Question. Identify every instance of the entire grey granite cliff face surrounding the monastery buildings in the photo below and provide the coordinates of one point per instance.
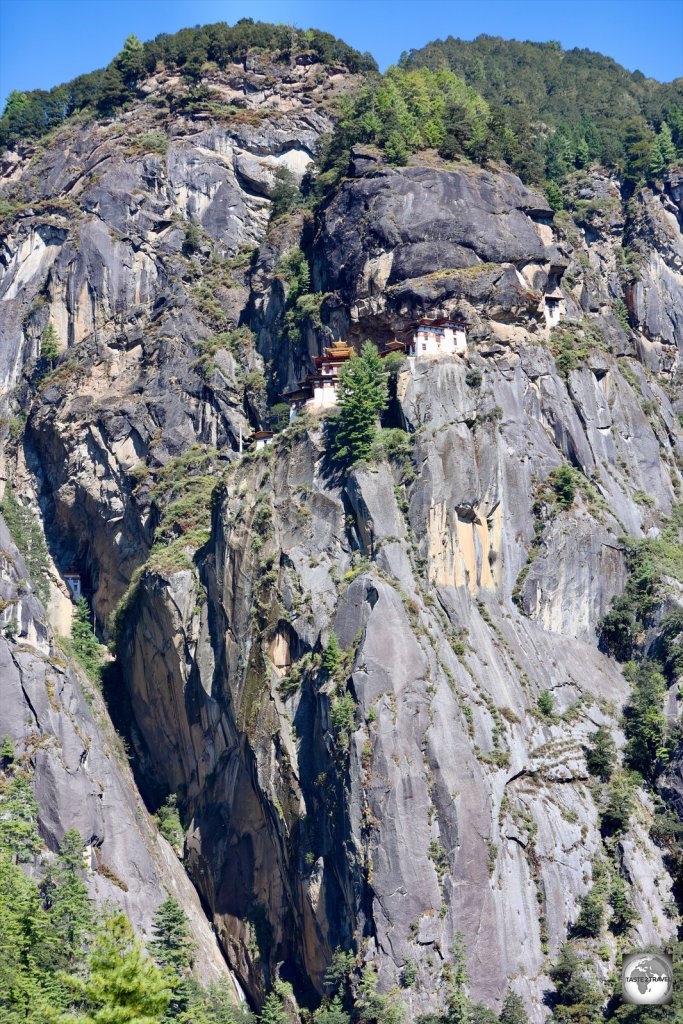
(416, 791)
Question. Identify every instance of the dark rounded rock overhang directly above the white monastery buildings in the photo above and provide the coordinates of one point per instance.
(396, 244)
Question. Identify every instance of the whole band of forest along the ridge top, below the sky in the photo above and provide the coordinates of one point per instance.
(542, 110)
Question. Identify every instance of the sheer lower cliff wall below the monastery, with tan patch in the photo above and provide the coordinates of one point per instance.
(445, 674)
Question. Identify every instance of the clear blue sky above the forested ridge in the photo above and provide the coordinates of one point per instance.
(46, 42)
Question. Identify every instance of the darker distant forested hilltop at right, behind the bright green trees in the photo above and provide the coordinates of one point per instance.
(576, 106)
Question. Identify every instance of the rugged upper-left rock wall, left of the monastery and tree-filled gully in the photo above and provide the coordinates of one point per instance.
(99, 249)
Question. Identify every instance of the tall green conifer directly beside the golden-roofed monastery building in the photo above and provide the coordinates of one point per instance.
(363, 398)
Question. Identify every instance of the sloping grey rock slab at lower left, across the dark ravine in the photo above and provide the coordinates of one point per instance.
(59, 724)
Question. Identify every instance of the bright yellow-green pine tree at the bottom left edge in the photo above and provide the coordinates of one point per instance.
(122, 986)
